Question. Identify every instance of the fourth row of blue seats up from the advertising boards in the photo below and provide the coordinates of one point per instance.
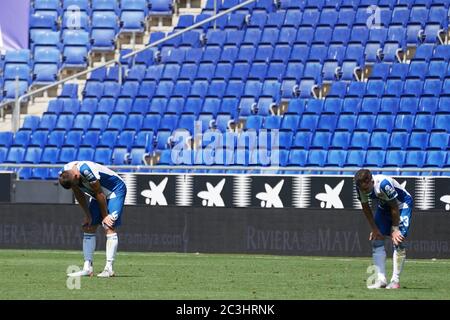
(229, 105)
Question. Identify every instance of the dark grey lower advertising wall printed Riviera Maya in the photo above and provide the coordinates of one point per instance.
(287, 231)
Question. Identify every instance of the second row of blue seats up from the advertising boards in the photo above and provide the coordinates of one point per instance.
(288, 138)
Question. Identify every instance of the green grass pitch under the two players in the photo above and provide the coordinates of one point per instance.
(41, 274)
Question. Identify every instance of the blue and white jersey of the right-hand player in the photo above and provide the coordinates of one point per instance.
(386, 189)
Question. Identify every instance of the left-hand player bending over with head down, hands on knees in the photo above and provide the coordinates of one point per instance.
(107, 193)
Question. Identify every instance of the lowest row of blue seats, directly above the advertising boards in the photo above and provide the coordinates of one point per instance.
(228, 157)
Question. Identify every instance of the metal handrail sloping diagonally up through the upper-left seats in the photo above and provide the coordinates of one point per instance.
(17, 102)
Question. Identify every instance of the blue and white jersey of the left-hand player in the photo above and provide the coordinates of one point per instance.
(111, 183)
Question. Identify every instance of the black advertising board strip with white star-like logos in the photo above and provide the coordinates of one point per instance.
(330, 192)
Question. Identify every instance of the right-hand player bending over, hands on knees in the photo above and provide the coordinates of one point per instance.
(392, 218)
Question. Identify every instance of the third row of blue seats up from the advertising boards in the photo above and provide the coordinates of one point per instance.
(291, 121)
